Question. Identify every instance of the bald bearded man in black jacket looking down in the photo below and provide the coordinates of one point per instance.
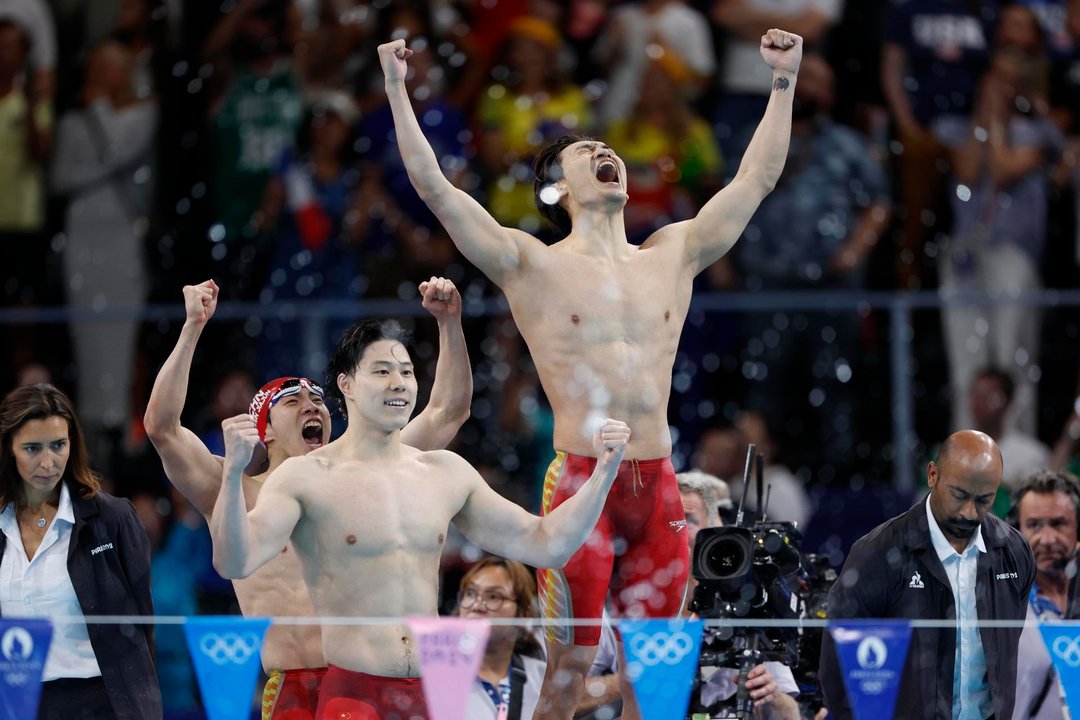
(947, 559)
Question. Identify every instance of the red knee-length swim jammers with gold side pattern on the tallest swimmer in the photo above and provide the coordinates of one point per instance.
(639, 549)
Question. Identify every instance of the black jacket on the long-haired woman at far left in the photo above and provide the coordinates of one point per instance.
(110, 566)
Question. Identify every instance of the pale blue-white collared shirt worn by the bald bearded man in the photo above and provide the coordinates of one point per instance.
(971, 689)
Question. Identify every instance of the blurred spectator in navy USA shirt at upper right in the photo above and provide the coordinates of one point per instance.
(935, 53)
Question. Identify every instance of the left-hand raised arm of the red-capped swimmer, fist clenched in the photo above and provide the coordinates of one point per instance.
(188, 464)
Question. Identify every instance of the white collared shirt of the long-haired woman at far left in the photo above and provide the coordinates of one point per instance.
(42, 588)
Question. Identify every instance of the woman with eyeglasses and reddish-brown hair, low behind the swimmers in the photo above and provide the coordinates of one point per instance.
(508, 685)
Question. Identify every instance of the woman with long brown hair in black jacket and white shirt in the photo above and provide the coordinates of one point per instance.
(70, 550)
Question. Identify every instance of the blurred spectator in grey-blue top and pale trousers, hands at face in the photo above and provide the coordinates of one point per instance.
(1002, 158)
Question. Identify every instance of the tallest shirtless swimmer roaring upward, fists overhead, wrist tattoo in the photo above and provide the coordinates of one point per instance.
(602, 319)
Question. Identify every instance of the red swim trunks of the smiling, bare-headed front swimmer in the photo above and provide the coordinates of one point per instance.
(362, 697)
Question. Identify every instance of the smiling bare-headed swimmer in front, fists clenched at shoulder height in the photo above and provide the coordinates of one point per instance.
(368, 517)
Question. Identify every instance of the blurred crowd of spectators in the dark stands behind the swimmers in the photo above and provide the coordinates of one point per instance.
(151, 144)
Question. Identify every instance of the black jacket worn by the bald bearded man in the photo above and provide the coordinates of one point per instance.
(895, 573)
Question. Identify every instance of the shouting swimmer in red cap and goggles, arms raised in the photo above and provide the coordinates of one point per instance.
(295, 425)
